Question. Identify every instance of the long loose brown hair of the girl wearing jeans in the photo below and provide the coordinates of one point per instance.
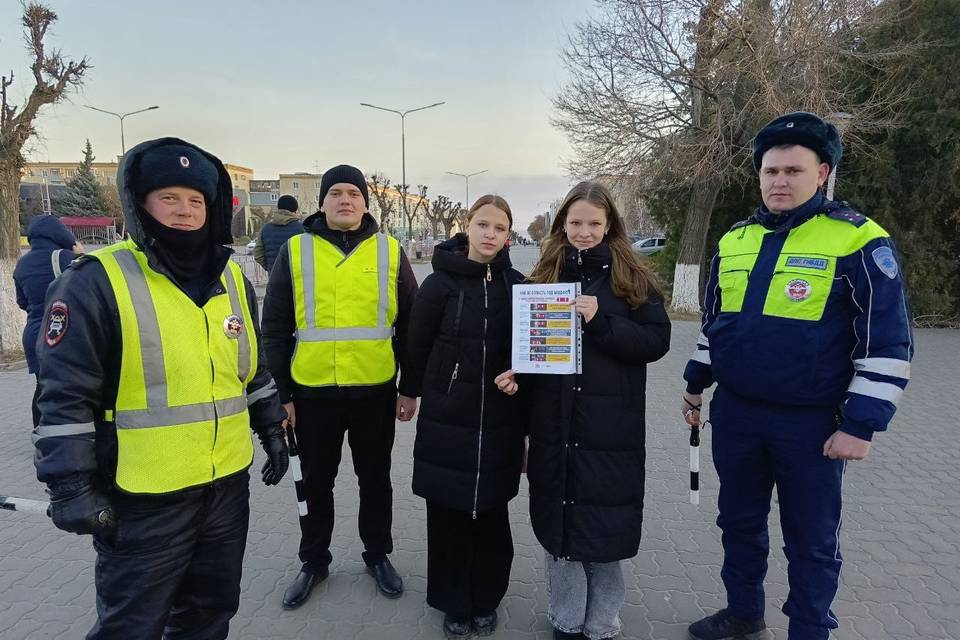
(630, 279)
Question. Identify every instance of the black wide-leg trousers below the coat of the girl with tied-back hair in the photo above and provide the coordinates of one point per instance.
(468, 561)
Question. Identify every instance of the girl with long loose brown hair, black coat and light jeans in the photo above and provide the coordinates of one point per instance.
(587, 432)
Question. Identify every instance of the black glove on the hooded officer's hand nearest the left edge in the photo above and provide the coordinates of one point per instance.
(77, 506)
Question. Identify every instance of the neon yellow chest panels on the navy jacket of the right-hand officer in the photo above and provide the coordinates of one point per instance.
(804, 271)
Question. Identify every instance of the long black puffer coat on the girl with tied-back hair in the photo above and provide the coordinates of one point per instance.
(469, 445)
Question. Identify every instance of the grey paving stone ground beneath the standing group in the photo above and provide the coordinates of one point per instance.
(900, 579)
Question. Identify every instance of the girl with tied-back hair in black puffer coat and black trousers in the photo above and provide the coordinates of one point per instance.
(469, 446)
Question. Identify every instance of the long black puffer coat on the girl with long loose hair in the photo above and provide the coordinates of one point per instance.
(587, 431)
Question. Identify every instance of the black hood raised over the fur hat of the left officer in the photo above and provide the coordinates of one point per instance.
(219, 212)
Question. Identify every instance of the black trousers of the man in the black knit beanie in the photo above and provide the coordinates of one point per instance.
(369, 424)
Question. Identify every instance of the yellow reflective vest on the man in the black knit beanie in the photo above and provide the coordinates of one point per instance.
(345, 309)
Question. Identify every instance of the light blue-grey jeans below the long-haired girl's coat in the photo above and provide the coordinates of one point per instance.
(585, 597)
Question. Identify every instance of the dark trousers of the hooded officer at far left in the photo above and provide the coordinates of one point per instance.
(172, 568)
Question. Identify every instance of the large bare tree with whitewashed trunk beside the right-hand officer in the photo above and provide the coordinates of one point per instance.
(675, 90)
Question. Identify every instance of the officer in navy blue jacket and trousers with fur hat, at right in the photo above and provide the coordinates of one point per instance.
(806, 331)
